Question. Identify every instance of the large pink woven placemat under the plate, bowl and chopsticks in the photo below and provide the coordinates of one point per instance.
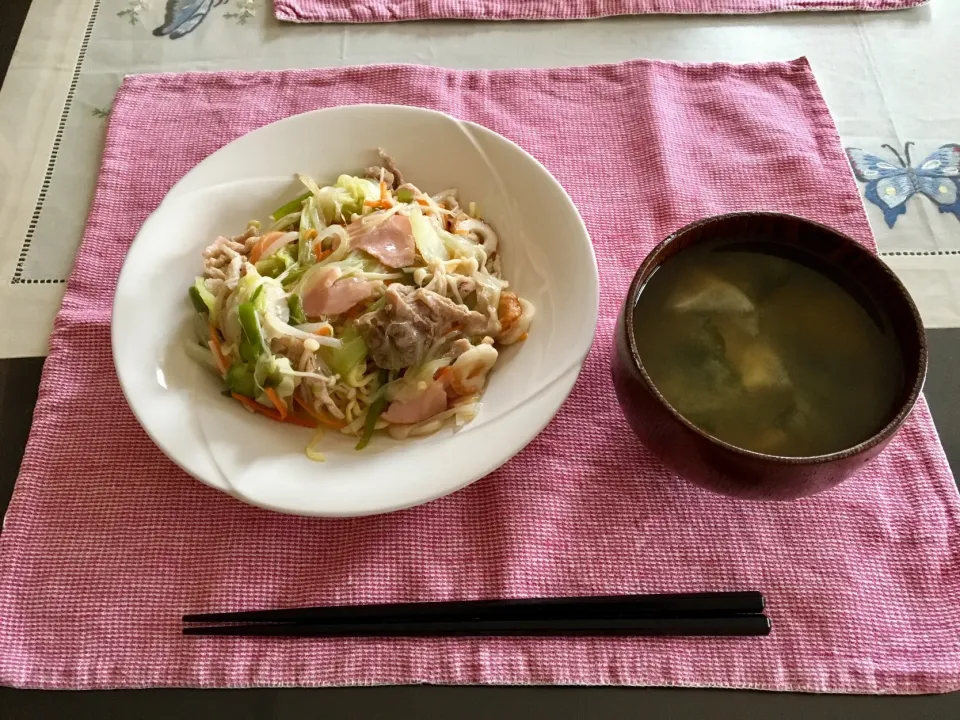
(107, 543)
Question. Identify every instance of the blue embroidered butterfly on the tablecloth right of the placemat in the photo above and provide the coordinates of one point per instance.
(890, 187)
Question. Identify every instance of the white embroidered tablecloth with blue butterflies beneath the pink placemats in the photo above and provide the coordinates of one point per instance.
(889, 79)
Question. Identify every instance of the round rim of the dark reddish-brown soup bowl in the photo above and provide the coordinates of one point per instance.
(878, 438)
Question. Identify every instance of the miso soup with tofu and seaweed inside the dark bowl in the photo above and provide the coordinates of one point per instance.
(761, 347)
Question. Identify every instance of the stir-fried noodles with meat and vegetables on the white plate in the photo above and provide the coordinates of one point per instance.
(365, 305)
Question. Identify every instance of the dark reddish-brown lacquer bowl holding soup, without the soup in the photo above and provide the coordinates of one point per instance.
(726, 468)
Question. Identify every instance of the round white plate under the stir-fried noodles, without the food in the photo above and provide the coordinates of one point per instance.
(547, 257)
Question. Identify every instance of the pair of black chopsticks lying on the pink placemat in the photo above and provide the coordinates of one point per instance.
(713, 613)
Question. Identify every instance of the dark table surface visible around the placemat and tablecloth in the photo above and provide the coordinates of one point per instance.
(19, 381)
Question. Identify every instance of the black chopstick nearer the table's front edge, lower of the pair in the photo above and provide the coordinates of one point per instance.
(749, 625)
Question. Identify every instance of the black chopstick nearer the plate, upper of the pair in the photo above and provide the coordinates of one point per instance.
(708, 604)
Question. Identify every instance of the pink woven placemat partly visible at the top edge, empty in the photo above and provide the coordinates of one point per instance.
(346, 11)
